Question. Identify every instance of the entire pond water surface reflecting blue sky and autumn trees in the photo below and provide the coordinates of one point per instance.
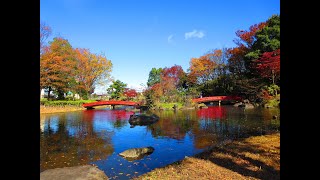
(97, 136)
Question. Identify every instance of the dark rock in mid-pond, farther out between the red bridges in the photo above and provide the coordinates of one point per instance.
(142, 119)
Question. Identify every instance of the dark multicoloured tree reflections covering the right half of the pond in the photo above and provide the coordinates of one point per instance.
(212, 125)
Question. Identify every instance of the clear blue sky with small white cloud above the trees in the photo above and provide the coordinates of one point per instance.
(137, 35)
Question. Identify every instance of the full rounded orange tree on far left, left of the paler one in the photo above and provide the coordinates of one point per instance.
(57, 65)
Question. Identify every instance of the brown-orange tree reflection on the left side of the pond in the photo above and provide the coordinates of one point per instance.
(61, 148)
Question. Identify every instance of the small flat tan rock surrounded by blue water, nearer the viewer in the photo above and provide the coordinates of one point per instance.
(136, 153)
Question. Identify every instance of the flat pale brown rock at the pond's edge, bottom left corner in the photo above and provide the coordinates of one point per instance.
(85, 172)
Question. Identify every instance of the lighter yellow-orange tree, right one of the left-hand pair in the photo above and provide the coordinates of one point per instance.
(91, 70)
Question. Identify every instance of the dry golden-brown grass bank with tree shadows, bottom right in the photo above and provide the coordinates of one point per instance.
(251, 158)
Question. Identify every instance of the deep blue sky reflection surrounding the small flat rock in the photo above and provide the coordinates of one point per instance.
(166, 151)
